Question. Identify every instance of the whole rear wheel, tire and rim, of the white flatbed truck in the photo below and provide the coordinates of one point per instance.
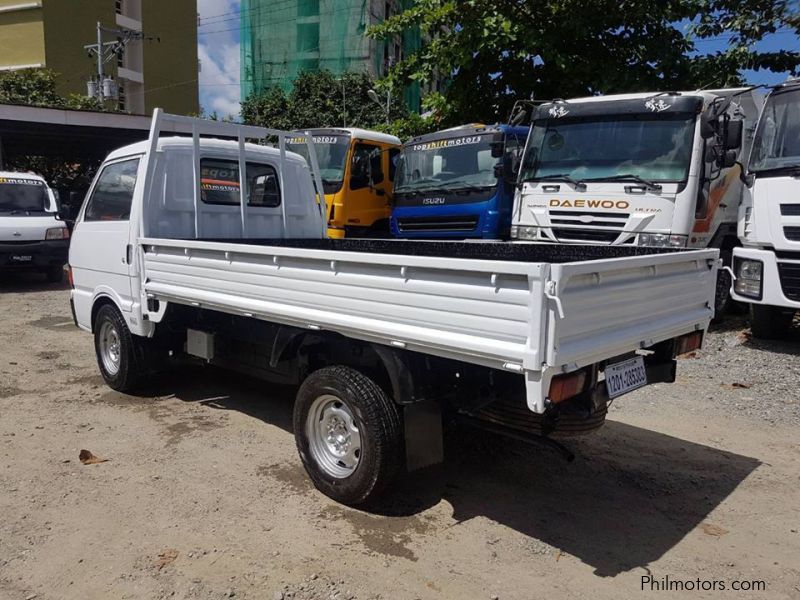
(348, 434)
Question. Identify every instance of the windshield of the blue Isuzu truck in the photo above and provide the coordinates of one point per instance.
(448, 163)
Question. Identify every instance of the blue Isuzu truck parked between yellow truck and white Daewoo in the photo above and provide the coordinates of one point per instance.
(457, 183)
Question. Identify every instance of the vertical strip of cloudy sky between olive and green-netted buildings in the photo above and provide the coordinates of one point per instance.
(219, 54)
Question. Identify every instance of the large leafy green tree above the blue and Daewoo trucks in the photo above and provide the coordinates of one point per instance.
(498, 51)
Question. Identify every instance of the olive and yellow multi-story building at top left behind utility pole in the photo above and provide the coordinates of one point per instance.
(157, 71)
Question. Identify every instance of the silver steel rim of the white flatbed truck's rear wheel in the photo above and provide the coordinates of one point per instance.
(333, 436)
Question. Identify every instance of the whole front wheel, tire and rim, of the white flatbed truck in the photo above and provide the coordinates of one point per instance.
(120, 354)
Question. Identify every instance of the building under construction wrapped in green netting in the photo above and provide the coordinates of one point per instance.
(282, 38)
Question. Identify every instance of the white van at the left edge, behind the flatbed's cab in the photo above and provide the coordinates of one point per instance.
(31, 236)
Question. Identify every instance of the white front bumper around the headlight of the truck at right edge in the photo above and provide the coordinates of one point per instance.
(780, 277)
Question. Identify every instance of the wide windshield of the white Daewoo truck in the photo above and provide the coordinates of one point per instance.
(655, 148)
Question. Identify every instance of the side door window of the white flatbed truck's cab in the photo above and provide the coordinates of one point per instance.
(113, 193)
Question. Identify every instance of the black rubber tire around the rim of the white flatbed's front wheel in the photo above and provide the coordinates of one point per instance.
(132, 365)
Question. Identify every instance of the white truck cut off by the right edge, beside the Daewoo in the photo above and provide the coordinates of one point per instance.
(767, 266)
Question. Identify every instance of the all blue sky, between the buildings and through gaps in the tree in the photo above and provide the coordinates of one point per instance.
(218, 51)
